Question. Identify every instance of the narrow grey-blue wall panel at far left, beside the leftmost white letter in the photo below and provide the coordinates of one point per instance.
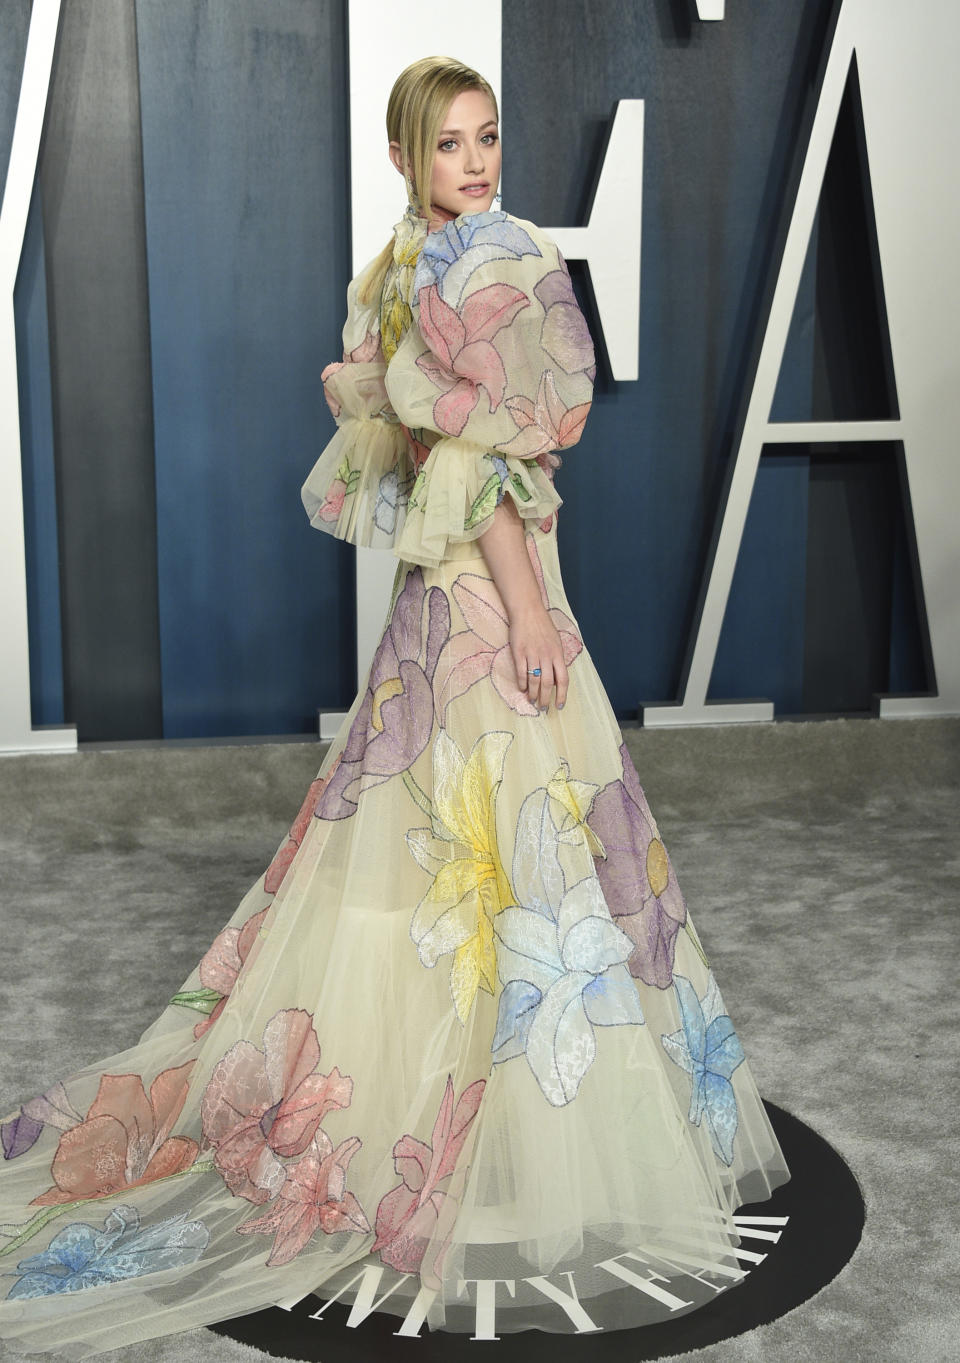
(91, 177)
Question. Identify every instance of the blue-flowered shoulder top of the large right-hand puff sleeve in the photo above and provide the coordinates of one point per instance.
(479, 249)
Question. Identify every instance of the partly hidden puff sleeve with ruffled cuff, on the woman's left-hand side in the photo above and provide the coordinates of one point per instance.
(358, 487)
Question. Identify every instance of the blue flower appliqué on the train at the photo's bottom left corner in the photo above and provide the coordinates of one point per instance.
(82, 1256)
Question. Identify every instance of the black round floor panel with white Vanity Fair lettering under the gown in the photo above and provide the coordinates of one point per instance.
(823, 1214)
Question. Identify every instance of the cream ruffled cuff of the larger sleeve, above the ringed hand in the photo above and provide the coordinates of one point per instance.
(457, 493)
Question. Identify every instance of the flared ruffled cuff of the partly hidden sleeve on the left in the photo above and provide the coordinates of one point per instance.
(359, 486)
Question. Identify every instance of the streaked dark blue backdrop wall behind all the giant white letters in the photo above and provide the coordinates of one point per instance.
(197, 250)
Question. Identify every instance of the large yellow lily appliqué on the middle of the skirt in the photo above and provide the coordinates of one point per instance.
(470, 888)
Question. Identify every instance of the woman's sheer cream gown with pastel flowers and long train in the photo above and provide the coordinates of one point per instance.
(460, 1049)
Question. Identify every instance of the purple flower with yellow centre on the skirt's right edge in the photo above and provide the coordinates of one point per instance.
(637, 878)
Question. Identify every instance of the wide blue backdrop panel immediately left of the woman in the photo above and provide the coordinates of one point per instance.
(245, 152)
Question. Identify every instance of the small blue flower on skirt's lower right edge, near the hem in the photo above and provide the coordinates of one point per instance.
(708, 1049)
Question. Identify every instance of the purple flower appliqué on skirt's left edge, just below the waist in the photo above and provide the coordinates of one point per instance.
(393, 726)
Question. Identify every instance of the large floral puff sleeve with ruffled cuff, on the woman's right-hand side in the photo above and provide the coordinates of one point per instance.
(497, 371)
